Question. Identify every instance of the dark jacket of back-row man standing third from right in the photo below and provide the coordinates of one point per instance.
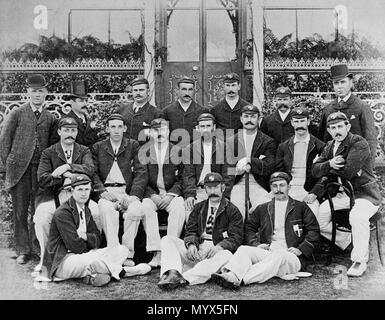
(227, 118)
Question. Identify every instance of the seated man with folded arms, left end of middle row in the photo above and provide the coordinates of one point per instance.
(58, 164)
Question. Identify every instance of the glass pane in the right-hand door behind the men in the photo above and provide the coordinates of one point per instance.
(221, 38)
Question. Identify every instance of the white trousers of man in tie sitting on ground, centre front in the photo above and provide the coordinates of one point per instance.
(174, 257)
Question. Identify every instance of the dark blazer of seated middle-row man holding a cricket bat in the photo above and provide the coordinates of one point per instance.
(261, 169)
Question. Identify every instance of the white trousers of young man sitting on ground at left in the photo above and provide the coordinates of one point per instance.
(105, 260)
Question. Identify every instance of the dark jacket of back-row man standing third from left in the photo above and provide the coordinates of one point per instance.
(135, 122)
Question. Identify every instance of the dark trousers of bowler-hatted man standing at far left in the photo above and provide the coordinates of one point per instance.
(23, 195)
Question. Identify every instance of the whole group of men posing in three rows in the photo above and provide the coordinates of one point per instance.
(248, 195)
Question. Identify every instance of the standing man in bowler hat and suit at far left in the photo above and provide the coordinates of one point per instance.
(26, 132)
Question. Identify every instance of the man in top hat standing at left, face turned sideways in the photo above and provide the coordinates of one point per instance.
(87, 133)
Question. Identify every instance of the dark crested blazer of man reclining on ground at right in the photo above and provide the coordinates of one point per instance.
(259, 228)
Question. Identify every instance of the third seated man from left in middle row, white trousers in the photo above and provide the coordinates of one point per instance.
(164, 188)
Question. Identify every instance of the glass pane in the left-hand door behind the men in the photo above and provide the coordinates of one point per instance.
(183, 35)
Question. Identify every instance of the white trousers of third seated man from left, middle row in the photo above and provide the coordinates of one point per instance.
(176, 215)
